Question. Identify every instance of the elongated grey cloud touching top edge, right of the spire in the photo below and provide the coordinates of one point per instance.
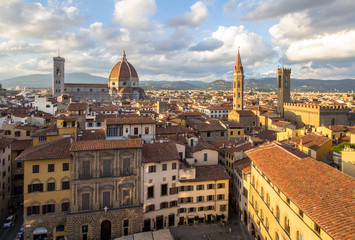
(273, 9)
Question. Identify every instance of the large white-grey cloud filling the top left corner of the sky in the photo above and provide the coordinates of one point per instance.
(19, 19)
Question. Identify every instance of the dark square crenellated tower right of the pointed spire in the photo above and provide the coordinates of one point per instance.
(283, 88)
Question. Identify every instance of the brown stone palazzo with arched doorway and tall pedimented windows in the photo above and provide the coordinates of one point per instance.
(105, 189)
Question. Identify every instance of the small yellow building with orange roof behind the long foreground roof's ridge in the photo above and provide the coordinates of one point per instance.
(314, 145)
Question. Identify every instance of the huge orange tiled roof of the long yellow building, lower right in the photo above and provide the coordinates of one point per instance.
(325, 194)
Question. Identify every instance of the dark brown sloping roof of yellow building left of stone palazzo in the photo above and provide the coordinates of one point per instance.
(52, 150)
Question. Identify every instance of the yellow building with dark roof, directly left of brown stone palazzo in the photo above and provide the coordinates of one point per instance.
(46, 189)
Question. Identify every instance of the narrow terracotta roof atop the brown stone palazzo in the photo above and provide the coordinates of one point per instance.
(92, 145)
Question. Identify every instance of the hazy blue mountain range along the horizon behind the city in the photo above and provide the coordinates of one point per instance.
(263, 84)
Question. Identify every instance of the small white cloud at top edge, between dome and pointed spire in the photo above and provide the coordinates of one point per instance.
(194, 18)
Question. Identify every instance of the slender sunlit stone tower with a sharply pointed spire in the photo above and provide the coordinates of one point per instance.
(238, 84)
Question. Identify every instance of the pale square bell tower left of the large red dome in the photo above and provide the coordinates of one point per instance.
(58, 76)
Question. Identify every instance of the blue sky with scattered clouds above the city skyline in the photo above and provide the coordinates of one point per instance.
(179, 40)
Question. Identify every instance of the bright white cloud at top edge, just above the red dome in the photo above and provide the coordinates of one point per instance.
(134, 13)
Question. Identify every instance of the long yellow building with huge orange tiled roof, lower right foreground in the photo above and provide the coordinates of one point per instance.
(292, 196)
